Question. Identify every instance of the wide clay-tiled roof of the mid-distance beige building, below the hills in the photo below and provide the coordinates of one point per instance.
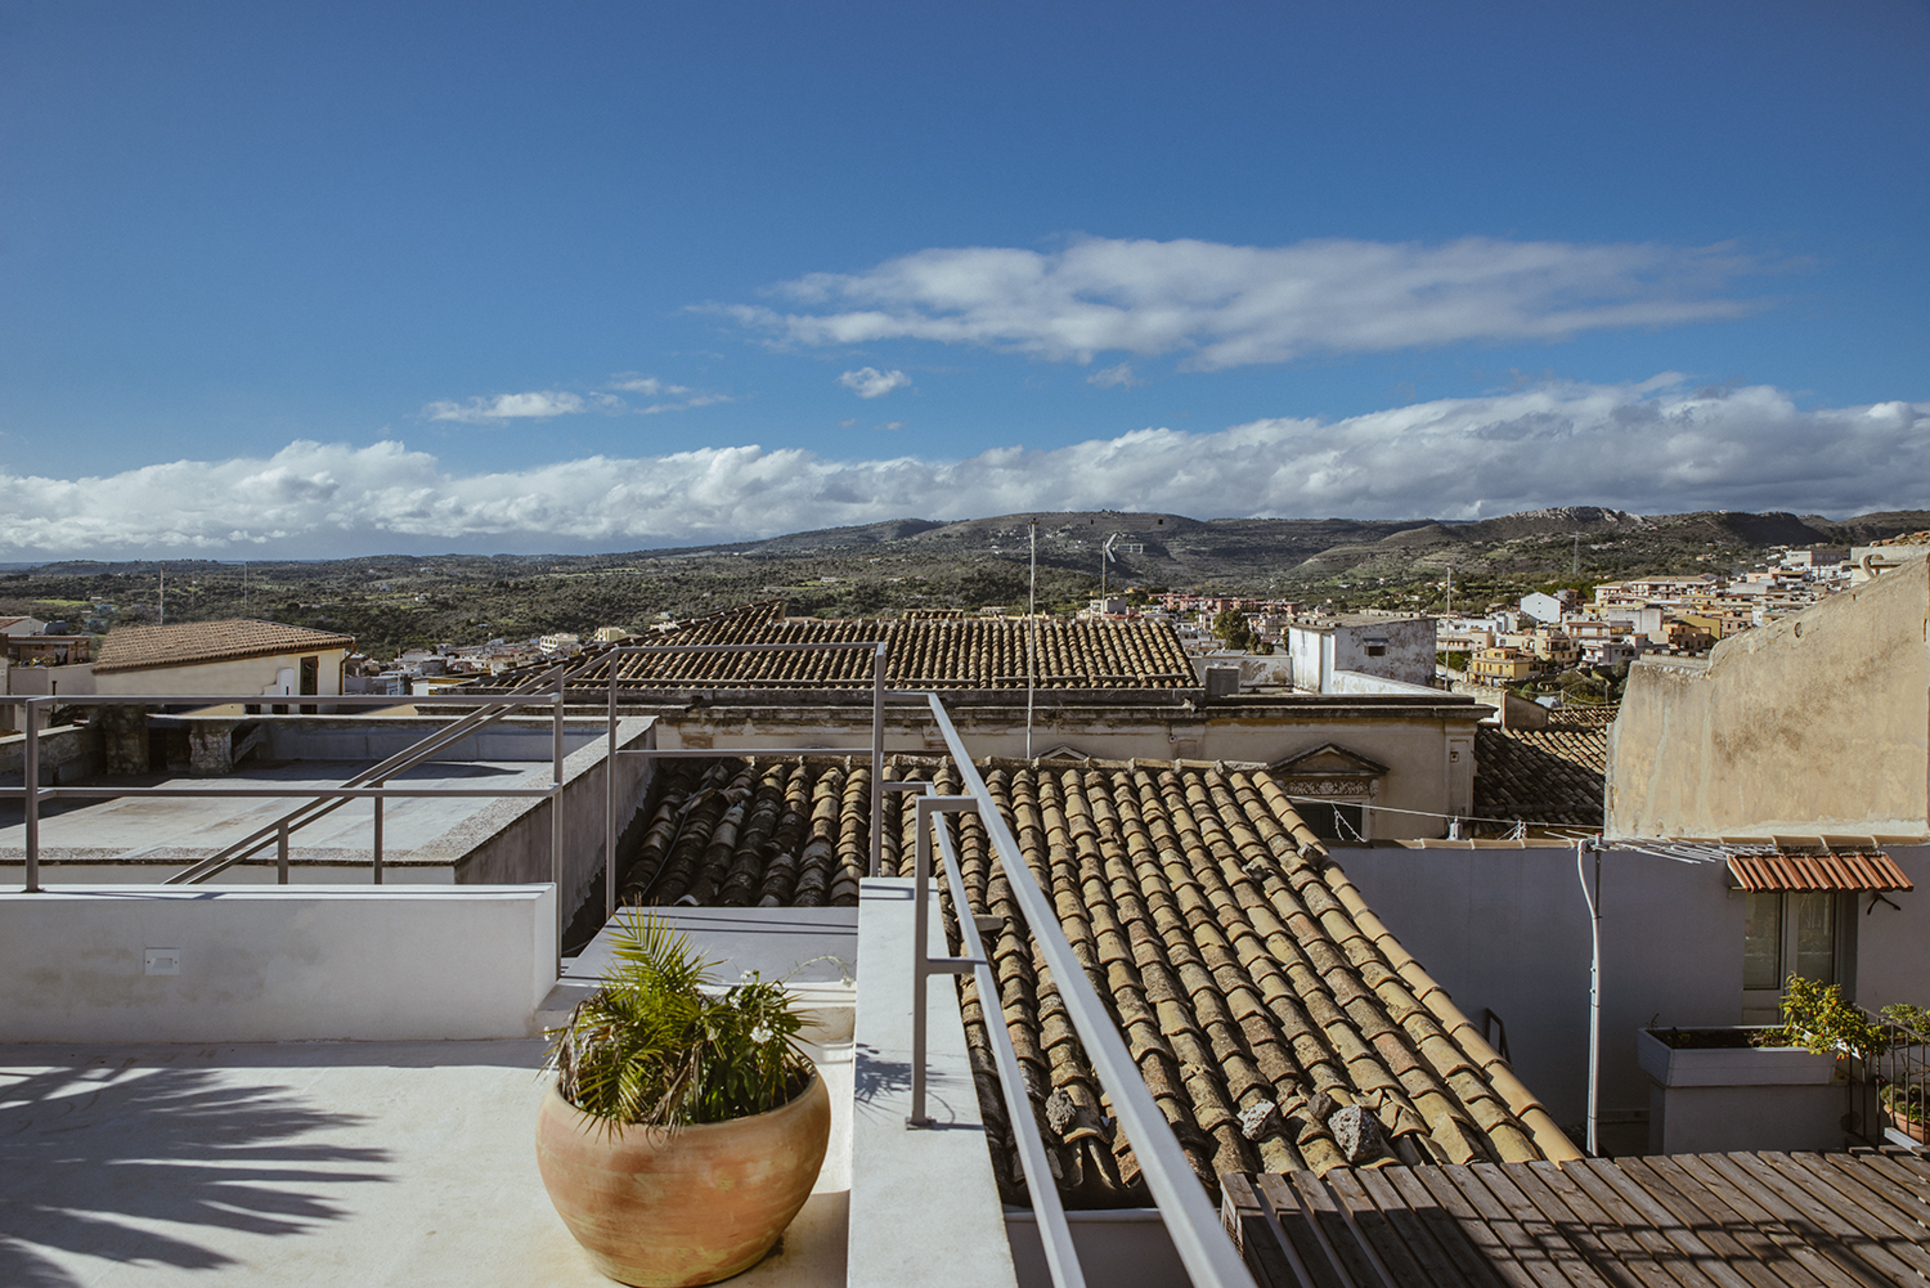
(924, 654)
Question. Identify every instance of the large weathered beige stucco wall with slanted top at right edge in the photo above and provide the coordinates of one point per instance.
(1815, 725)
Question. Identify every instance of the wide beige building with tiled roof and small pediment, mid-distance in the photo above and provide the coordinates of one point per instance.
(1389, 764)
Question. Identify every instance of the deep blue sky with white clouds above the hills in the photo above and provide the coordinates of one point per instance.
(420, 277)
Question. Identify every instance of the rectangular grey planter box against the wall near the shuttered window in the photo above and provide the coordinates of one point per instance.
(1726, 1098)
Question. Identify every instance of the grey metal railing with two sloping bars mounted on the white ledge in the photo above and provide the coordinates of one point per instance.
(1203, 1245)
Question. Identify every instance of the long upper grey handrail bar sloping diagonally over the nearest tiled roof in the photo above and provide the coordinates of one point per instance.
(1203, 1245)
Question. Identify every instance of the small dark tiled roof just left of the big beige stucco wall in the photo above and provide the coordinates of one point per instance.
(1551, 777)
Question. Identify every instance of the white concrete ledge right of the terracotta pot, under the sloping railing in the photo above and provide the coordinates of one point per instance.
(925, 1202)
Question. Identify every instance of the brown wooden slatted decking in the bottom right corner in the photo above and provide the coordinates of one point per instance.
(1686, 1221)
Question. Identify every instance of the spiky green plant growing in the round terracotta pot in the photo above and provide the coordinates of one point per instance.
(659, 1046)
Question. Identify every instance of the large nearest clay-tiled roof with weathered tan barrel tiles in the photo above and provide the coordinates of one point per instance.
(1255, 990)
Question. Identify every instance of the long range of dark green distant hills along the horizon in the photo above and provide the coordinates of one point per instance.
(395, 602)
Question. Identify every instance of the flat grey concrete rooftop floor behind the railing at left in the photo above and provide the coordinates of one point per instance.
(177, 827)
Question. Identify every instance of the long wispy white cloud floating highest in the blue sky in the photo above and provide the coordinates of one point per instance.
(1230, 306)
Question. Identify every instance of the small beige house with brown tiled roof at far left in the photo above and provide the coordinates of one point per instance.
(240, 658)
